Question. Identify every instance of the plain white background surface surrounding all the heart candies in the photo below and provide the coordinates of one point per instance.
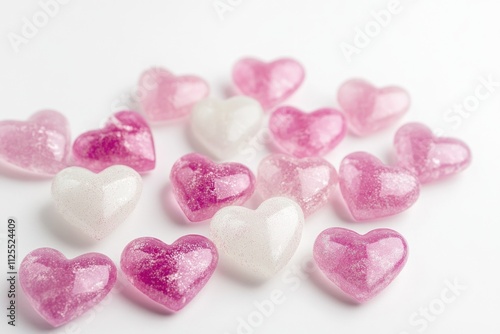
(89, 56)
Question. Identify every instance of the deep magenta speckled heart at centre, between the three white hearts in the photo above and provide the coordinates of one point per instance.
(202, 187)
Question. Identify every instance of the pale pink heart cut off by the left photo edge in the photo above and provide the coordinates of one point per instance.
(40, 145)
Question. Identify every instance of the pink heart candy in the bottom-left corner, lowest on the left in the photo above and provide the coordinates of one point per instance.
(61, 290)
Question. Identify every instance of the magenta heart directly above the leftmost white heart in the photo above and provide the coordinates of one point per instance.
(126, 139)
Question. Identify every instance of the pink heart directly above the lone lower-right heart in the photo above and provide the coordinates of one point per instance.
(372, 190)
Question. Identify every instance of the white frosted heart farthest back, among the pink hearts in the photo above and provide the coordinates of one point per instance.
(225, 127)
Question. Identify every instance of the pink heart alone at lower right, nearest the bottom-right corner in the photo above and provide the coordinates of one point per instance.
(360, 265)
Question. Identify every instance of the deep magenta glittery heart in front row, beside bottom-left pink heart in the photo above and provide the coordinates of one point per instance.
(171, 275)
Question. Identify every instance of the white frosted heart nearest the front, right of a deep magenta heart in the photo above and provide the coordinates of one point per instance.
(258, 243)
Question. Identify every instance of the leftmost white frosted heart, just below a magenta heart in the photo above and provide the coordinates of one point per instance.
(96, 203)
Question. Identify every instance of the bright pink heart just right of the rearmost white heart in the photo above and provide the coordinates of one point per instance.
(307, 134)
